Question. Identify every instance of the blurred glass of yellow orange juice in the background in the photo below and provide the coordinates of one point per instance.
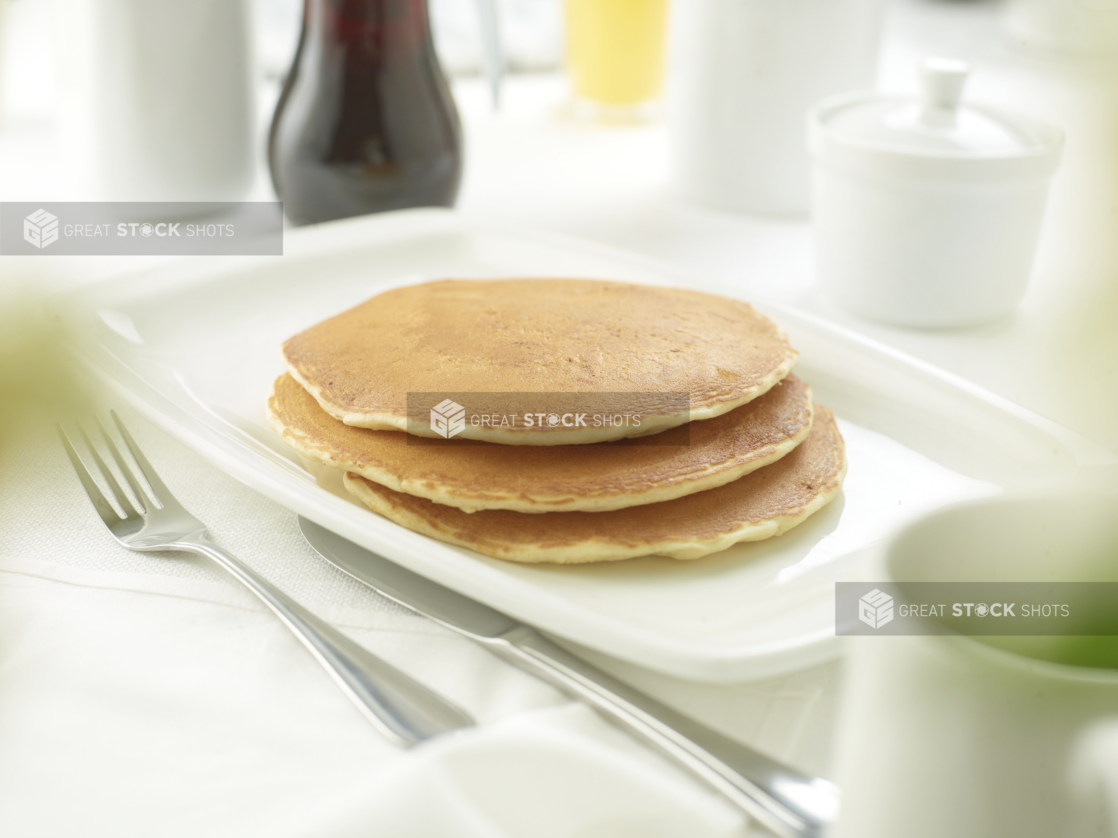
(615, 56)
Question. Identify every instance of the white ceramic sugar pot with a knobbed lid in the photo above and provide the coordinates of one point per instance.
(927, 213)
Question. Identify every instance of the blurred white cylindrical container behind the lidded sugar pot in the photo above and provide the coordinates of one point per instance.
(741, 77)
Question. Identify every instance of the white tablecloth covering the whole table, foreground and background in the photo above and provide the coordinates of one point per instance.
(150, 696)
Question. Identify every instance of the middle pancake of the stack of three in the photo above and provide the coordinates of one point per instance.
(529, 479)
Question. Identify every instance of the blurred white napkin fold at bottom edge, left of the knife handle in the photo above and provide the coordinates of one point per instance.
(551, 774)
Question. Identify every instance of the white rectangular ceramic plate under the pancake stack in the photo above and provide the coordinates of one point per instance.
(196, 348)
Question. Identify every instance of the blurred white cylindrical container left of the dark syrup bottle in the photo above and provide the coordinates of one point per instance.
(157, 100)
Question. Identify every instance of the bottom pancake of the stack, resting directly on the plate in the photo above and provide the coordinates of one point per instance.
(766, 503)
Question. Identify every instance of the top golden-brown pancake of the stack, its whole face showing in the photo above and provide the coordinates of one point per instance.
(679, 356)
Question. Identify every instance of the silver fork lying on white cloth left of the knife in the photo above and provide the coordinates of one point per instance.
(404, 710)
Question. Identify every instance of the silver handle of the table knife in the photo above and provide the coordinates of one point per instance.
(783, 801)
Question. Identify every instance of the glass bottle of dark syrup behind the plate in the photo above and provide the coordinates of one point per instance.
(366, 122)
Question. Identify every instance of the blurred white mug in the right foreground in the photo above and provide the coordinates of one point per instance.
(945, 736)
